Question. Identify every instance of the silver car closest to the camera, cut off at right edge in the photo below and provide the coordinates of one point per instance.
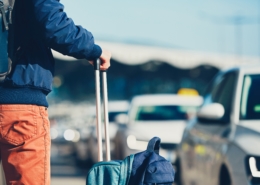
(221, 145)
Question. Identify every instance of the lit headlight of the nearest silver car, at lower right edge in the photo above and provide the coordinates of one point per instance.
(253, 169)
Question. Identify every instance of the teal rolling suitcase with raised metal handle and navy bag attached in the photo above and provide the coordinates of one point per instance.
(143, 168)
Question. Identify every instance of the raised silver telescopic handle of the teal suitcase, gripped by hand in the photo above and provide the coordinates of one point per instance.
(98, 111)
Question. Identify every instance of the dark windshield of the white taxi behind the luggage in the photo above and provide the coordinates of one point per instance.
(159, 113)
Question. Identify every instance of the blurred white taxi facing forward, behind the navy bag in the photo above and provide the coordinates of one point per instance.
(161, 115)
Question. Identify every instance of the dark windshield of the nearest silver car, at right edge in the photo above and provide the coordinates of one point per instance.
(250, 99)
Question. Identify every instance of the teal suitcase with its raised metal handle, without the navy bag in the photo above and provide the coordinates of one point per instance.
(105, 172)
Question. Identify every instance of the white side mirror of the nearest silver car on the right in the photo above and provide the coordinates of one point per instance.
(213, 111)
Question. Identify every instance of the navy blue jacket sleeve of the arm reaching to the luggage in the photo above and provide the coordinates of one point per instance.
(60, 32)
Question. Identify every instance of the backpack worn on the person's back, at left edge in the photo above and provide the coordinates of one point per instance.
(6, 11)
